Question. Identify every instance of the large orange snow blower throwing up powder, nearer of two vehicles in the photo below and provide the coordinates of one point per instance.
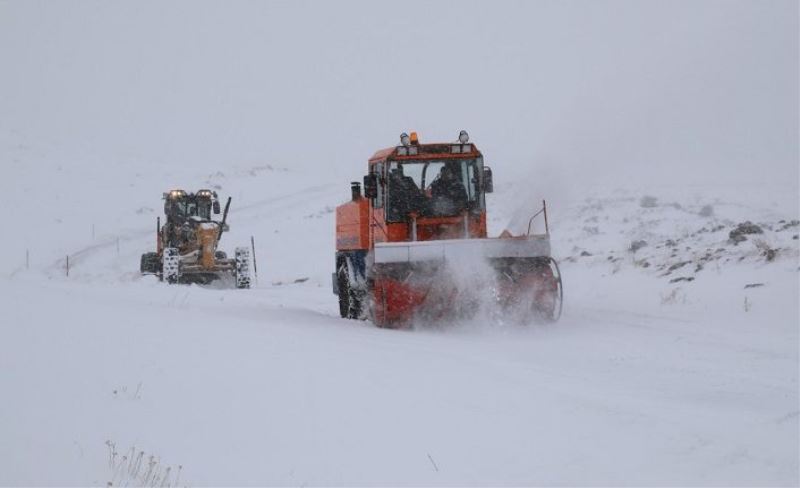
(415, 244)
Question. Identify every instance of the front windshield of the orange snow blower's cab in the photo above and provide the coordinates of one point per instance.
(433, 188)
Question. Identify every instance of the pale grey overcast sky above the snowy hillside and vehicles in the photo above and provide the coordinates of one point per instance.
(630, 90)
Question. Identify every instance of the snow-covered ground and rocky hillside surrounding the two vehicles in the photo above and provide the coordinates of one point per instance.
(675, 363)
